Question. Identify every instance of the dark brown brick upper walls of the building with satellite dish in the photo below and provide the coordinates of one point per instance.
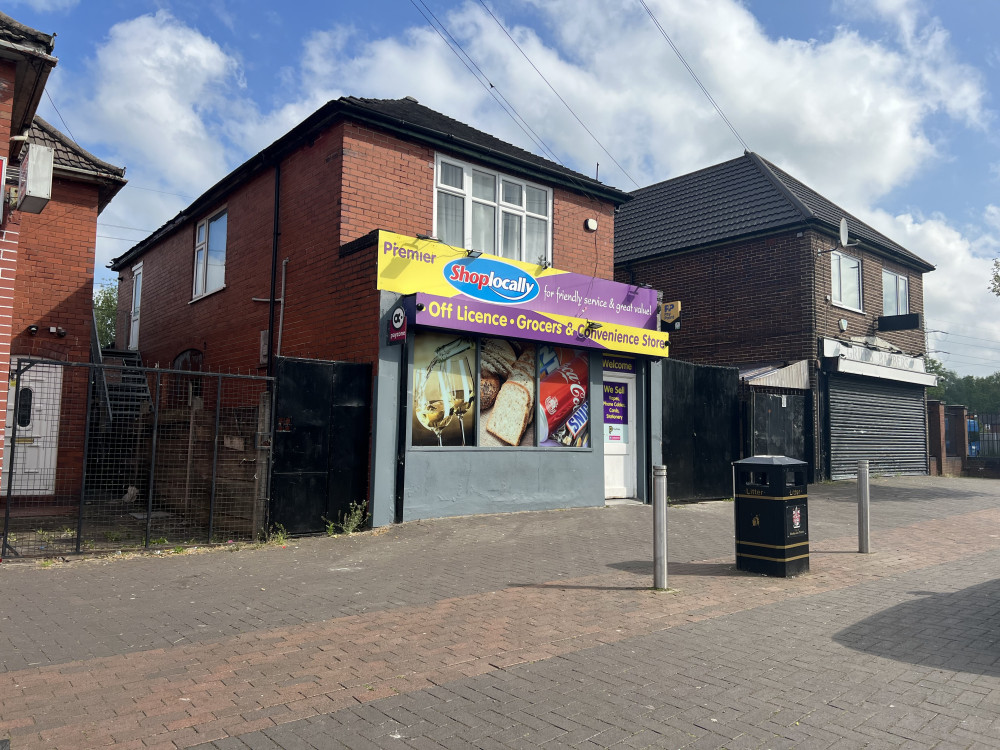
(753, 302)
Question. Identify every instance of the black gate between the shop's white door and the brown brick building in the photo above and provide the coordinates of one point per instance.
(700, 429)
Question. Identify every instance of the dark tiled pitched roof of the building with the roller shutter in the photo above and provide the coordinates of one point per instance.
(747, 196)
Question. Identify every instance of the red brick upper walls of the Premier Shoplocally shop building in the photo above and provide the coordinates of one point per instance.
(349, 181)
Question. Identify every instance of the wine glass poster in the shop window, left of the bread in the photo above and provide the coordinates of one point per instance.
(444, 390)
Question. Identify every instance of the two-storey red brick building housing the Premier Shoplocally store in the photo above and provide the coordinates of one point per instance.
(306, 250)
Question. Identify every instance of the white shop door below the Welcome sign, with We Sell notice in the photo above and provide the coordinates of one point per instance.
(619, 435)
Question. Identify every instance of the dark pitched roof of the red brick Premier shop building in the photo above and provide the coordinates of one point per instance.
(408, 119)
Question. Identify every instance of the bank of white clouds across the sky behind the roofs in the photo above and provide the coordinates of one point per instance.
(850, 116)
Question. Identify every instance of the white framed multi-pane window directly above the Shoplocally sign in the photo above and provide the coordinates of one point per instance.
(480, 209)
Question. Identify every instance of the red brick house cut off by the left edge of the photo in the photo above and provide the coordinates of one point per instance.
(47, 272)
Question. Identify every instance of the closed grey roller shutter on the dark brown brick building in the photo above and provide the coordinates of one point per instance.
(878, 420)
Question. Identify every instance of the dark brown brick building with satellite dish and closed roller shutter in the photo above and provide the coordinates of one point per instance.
(755, 259)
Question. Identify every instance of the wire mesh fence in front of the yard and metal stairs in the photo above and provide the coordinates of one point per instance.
(117, 457)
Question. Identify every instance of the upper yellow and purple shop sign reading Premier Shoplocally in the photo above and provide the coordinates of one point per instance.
(407, 265)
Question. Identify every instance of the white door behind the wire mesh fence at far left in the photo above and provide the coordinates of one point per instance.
(36, 440)
